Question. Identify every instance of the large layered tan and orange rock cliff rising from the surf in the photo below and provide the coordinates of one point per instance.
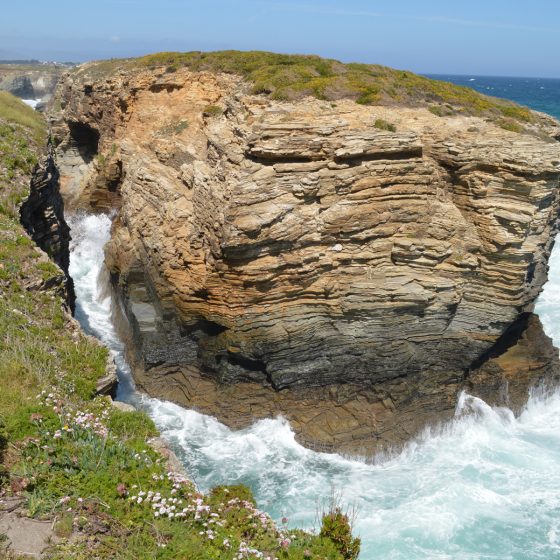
(294, 258)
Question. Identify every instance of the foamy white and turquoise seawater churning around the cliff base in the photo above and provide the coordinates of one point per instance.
(486, 485)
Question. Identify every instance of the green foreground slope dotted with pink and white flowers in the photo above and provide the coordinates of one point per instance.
(73, 457)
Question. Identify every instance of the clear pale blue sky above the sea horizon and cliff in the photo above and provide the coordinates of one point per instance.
(492, 37)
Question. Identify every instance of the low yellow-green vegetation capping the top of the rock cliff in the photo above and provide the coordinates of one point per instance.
(286, 77)
